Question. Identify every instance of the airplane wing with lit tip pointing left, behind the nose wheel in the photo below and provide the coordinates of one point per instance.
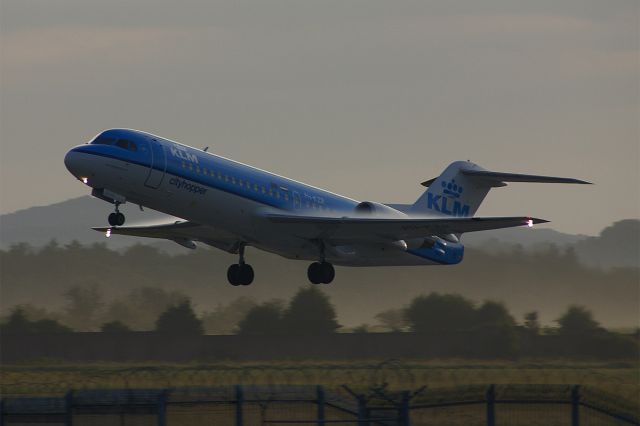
(181, 232)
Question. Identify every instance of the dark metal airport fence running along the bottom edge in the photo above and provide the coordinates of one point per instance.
(493, 405)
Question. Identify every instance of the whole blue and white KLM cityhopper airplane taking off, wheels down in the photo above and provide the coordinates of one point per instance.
(230, 205)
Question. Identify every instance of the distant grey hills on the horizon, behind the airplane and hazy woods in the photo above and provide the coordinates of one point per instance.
(618, 244)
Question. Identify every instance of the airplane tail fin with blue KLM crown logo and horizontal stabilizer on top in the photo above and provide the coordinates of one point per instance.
(461, 188)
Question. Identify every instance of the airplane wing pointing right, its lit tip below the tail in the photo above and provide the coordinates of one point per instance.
(370, 229)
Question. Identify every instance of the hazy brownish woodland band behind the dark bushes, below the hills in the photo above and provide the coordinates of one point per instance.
(549, 279)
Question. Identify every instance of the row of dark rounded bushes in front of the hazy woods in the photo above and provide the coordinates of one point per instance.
(488, 329)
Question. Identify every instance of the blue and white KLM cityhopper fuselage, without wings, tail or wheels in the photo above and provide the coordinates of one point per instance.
(127, 165)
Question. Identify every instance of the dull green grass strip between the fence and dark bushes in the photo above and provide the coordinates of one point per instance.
(52, 378)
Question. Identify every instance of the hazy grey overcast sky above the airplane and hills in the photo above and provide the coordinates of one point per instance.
(365, 98)
